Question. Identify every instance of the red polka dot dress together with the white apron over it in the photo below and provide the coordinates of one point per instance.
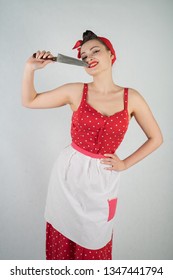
(82, 195)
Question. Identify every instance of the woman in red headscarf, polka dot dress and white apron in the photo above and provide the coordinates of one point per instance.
(83, 187)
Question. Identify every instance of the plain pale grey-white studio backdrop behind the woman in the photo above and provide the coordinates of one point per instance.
(30, 140)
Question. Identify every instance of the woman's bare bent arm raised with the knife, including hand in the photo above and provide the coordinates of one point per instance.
(54, 98)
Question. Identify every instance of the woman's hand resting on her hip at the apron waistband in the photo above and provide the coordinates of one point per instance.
(115, 163)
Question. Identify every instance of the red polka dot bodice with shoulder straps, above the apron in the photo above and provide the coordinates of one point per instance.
(96, 133)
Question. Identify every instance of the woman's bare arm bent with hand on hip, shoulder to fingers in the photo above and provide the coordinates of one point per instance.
(144, 117)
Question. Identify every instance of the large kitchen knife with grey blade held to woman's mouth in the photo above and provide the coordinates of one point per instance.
(66, 59)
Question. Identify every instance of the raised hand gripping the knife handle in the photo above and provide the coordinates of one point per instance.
(38, 62)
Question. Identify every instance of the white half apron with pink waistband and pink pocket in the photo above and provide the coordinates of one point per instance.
(82, 198)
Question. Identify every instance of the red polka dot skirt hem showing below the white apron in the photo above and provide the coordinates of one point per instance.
(58, 247)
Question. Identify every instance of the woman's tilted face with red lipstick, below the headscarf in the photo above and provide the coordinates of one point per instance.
(96, 55)
